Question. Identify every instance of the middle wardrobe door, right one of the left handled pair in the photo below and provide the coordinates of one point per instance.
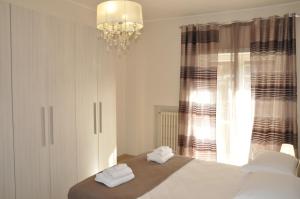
(62, 108)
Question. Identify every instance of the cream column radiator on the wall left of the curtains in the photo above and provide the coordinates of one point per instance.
(168, 129)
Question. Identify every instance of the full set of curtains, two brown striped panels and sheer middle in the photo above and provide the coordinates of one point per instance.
(238, 89)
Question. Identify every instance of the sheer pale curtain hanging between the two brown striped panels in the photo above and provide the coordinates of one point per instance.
(234, 104)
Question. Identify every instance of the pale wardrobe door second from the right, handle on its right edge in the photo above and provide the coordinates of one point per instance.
(86, 101)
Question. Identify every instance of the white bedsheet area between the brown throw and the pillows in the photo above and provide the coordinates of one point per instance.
(201, 180)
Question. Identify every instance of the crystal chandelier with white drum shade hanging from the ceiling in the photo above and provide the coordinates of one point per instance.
(119, 22)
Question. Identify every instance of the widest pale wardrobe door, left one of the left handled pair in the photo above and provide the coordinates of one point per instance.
(29, 41)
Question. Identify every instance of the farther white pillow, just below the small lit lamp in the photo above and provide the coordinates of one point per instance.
(271, 161)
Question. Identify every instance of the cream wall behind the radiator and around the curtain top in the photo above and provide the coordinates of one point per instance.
(153, 65)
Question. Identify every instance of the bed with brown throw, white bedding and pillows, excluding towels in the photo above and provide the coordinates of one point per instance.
(270, 175)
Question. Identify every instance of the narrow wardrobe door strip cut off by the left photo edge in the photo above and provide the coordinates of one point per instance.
(7, 186)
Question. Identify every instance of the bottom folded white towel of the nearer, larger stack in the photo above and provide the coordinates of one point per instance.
(111, 182)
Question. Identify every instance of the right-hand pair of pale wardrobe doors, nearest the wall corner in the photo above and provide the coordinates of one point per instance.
(95, 103)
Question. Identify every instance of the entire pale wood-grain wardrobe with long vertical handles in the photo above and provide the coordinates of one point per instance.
(59, 107)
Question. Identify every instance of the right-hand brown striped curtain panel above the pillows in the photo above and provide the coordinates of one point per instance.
(273, 83)
